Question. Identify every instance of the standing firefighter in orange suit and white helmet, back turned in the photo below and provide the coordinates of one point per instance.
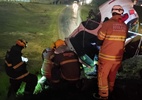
(111, 37)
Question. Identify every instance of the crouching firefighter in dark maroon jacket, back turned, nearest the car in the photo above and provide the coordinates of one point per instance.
(66, 70)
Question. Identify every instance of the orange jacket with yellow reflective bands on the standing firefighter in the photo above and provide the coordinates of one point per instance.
(113, 34)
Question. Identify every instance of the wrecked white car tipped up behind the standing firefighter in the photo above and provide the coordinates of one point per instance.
(82, 40)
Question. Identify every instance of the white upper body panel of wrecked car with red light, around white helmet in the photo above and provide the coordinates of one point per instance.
(105, 9)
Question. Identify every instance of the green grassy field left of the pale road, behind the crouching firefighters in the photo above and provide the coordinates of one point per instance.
(36, 23)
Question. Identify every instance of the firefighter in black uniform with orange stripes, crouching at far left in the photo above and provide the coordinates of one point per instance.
(15, 66)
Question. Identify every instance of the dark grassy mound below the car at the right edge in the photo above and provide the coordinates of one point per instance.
(131, 68)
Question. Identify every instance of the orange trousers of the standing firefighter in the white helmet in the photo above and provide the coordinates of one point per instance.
(106, 76)
